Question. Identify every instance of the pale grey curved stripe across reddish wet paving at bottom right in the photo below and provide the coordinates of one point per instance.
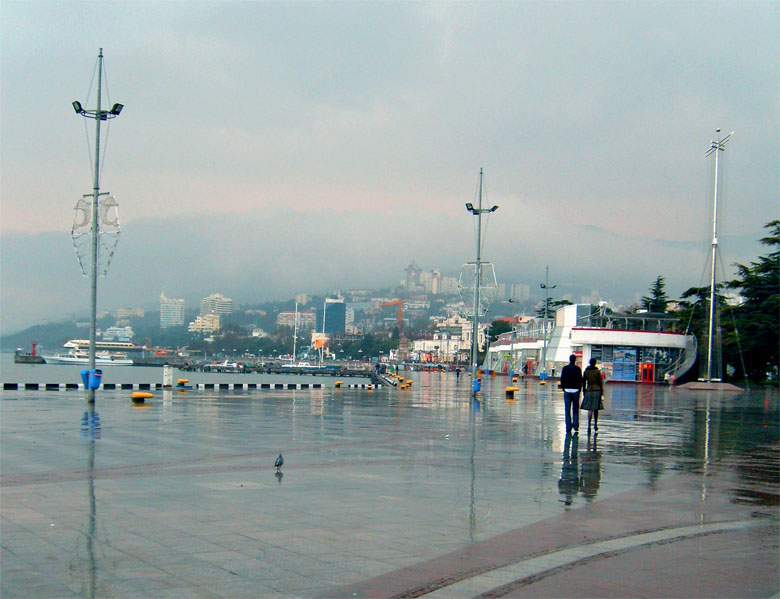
(500, 581)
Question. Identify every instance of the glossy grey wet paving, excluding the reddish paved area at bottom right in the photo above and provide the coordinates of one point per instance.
(180, 498)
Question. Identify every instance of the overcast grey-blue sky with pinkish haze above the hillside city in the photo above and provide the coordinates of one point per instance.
(268, 148)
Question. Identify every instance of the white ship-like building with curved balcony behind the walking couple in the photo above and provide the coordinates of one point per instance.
(641, 347)
